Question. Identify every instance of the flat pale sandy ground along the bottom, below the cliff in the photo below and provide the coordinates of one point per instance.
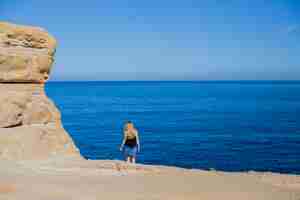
(69, 179)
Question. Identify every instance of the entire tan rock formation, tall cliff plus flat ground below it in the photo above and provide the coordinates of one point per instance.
(31, 133)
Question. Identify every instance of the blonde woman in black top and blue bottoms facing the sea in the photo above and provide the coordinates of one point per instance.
(130, 143)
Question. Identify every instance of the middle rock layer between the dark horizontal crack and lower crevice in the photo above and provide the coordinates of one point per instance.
(26, 104)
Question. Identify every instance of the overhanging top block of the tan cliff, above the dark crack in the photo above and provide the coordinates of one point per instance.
(26, 53)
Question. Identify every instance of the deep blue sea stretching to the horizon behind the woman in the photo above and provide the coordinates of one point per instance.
(230, 126)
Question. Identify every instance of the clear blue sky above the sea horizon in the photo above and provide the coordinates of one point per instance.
(167, 39)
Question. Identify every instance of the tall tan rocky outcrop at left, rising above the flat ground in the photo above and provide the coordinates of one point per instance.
(30, 124)
